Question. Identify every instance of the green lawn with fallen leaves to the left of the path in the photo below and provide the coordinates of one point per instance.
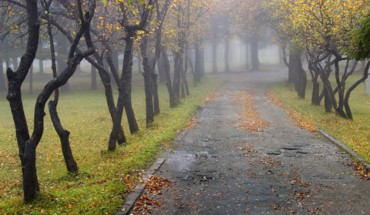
(105, 177)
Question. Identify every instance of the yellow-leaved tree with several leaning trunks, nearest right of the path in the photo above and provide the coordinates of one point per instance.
(323, 28)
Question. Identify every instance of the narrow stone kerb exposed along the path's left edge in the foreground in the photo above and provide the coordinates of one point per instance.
(130, 200)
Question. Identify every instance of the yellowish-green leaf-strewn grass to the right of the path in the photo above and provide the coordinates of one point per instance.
(354, 134)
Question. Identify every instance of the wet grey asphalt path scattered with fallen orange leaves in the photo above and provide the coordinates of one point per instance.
(219, 169)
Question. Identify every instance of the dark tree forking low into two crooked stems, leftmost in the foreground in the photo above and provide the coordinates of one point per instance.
(27, 143)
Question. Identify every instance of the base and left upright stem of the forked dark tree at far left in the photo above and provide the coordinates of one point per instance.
(15, 79)
